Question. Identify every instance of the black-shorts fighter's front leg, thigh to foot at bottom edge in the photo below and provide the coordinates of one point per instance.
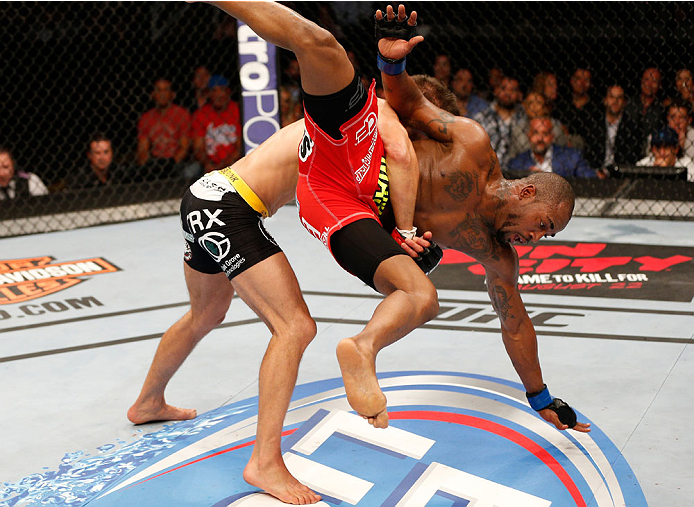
(270, 288)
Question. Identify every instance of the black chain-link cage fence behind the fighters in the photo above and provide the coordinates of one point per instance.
(78, 77)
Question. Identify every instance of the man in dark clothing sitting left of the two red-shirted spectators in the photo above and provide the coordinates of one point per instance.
(100, 169)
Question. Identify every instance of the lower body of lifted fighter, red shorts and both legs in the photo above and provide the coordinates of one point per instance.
(339, 167)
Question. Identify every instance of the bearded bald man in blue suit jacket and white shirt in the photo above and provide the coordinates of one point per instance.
(545, 155)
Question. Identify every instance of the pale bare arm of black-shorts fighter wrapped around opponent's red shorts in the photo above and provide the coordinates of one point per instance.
(403, 170)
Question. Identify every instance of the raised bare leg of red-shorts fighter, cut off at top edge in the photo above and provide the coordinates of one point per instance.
(325, 67)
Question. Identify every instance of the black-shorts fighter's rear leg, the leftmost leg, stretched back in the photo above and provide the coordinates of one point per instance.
(210, 296)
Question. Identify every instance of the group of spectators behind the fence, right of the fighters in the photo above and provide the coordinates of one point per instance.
(583, 134)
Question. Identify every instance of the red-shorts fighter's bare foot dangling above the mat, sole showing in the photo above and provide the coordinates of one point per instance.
(361, 385)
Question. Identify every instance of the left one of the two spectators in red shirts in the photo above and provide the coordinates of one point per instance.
(163, 133)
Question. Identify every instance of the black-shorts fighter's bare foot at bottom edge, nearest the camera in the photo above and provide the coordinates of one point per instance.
(276, 480)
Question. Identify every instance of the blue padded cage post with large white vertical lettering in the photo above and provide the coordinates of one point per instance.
(258, 76)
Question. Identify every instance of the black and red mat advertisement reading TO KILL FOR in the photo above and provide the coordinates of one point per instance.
(663, 273)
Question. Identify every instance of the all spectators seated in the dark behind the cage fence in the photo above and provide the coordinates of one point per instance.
(531, 128)
